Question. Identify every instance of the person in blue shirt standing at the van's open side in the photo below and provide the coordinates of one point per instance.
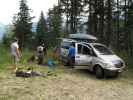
(71, 54)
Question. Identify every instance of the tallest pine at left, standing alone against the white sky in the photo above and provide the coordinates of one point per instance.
(22, 23)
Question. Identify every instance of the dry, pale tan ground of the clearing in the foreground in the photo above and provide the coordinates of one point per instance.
(69, 84)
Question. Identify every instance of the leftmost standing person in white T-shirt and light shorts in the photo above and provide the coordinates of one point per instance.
(15, 53)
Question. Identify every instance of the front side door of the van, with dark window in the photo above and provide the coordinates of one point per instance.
(83, 56)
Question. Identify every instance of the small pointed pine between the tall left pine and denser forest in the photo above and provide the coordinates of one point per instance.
(42, 30)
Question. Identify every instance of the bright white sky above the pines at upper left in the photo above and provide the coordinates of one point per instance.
(10, 7)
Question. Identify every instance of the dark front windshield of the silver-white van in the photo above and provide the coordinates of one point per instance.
(103, 50)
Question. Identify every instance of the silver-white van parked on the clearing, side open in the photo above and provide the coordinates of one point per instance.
(95, 57)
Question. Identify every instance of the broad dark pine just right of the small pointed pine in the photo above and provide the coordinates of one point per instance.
(55, 25)
